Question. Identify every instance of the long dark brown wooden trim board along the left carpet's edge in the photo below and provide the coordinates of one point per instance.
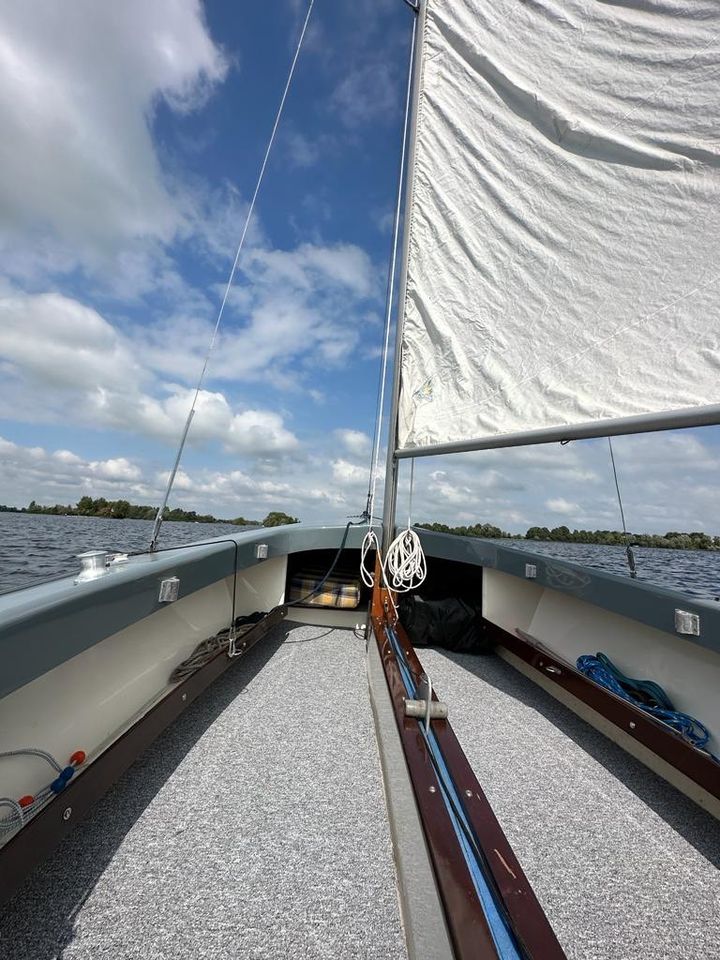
(38, 838)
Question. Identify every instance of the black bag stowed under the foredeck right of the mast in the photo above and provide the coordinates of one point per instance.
(452, 623)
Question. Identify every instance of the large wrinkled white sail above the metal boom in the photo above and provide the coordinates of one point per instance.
(563, 250)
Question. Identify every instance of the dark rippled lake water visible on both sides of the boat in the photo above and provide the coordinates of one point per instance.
(35, 547)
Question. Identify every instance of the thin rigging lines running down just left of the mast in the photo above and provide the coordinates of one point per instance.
(370, 543)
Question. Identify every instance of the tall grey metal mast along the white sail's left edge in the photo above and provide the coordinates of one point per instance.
(391, 469)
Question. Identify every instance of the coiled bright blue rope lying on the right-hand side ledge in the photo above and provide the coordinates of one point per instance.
(646, 695)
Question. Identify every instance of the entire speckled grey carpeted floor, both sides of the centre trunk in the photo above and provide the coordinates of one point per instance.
(256, 826)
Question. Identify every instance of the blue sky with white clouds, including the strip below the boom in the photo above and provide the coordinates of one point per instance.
(132, 138)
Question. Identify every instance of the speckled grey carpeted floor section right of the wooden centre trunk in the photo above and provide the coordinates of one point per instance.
(625, 867)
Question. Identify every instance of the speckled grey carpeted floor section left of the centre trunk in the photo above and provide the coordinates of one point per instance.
(255, 827)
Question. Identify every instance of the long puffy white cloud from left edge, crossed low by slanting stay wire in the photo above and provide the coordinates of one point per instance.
(67, 363)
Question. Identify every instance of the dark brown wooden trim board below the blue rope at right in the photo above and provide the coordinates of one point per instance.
(652, 733)
